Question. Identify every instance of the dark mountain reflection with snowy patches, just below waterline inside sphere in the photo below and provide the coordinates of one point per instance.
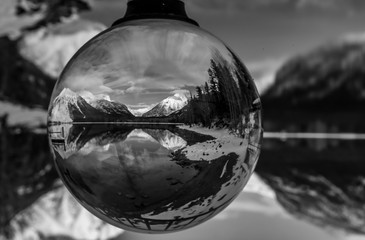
(76, 136)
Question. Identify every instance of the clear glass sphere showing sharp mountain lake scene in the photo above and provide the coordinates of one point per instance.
(155, 125)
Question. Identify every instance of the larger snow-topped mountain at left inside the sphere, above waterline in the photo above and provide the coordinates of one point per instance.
(69, 106)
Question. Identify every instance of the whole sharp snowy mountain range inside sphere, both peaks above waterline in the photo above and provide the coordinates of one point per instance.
(69, 106)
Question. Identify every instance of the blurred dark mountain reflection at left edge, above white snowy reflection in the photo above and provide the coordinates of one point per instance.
(27, 174)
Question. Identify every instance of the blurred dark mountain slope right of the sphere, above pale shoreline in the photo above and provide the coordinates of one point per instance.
(330, 77)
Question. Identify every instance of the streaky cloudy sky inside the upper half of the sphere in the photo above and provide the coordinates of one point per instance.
(154, 68)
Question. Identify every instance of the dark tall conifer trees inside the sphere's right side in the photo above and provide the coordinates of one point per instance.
(225, 98)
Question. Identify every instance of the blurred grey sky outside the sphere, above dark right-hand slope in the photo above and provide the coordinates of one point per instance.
(264, 33)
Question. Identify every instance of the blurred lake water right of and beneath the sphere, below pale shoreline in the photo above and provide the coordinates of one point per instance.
(303, 188)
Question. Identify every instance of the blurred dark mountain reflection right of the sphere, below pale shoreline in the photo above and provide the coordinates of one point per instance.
(323, 185)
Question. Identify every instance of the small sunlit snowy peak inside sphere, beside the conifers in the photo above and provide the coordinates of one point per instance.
(168, 106)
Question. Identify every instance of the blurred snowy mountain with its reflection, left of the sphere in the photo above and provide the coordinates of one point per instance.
(37, 39)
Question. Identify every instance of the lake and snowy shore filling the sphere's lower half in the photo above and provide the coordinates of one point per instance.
(158, 177)
